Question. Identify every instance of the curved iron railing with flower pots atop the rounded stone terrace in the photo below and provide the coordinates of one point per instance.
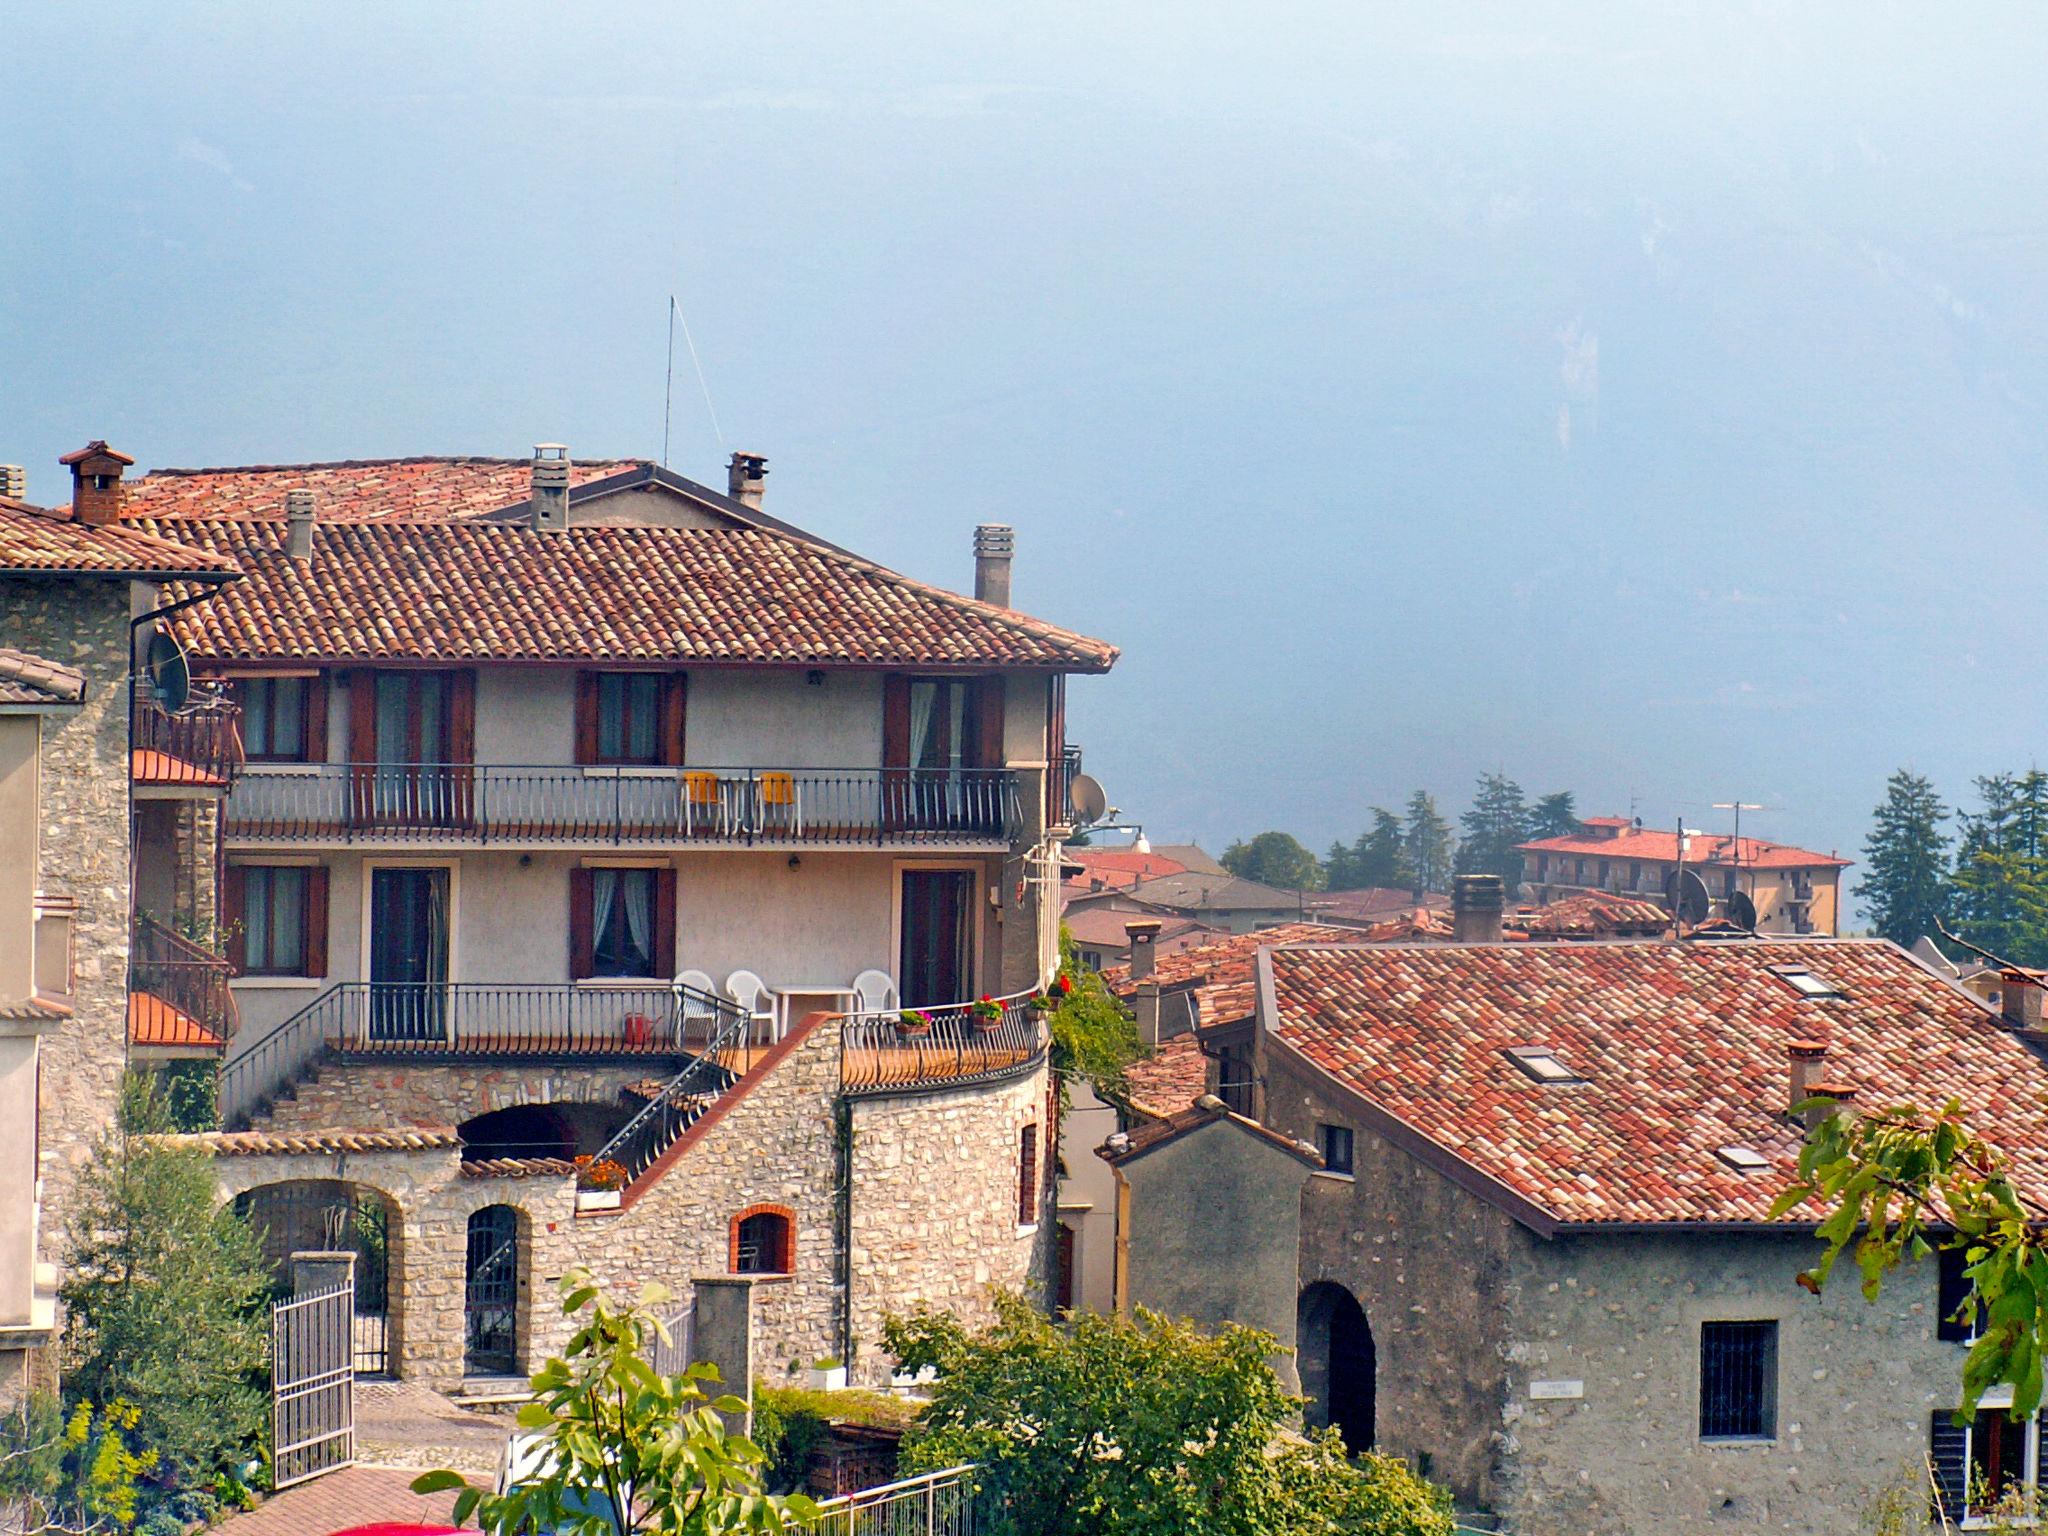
(937, 1048)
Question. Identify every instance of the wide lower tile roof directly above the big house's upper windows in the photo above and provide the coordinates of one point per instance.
(486, 591)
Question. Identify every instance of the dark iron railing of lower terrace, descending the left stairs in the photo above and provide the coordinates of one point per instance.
(472, 1019)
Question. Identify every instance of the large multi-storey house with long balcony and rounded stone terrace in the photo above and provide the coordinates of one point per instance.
(593, 837)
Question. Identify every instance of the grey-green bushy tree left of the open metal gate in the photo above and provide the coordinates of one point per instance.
(165, 1299)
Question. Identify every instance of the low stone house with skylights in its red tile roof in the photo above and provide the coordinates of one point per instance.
(1537, 1252)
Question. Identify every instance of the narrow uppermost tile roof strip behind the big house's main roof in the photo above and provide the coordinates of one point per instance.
(355, 490)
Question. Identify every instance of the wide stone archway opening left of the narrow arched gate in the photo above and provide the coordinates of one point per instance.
(337, 1215)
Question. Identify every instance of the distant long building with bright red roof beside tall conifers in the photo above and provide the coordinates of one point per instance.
(1791, 890)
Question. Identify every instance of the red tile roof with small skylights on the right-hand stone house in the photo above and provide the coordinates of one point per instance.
(1680, 1048)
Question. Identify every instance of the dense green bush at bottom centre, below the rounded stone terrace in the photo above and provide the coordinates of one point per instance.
(1142, 1426)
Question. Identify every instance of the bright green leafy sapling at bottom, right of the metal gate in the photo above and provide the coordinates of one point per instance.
(626, 1449)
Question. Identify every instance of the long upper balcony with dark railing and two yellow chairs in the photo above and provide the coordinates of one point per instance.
(722, 808)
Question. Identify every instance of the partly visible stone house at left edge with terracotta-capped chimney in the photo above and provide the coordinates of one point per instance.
(77, 595)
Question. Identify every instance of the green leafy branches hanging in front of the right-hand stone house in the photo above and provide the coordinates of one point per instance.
(1893, 1181)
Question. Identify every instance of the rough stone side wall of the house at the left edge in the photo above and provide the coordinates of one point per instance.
(87, 859)
